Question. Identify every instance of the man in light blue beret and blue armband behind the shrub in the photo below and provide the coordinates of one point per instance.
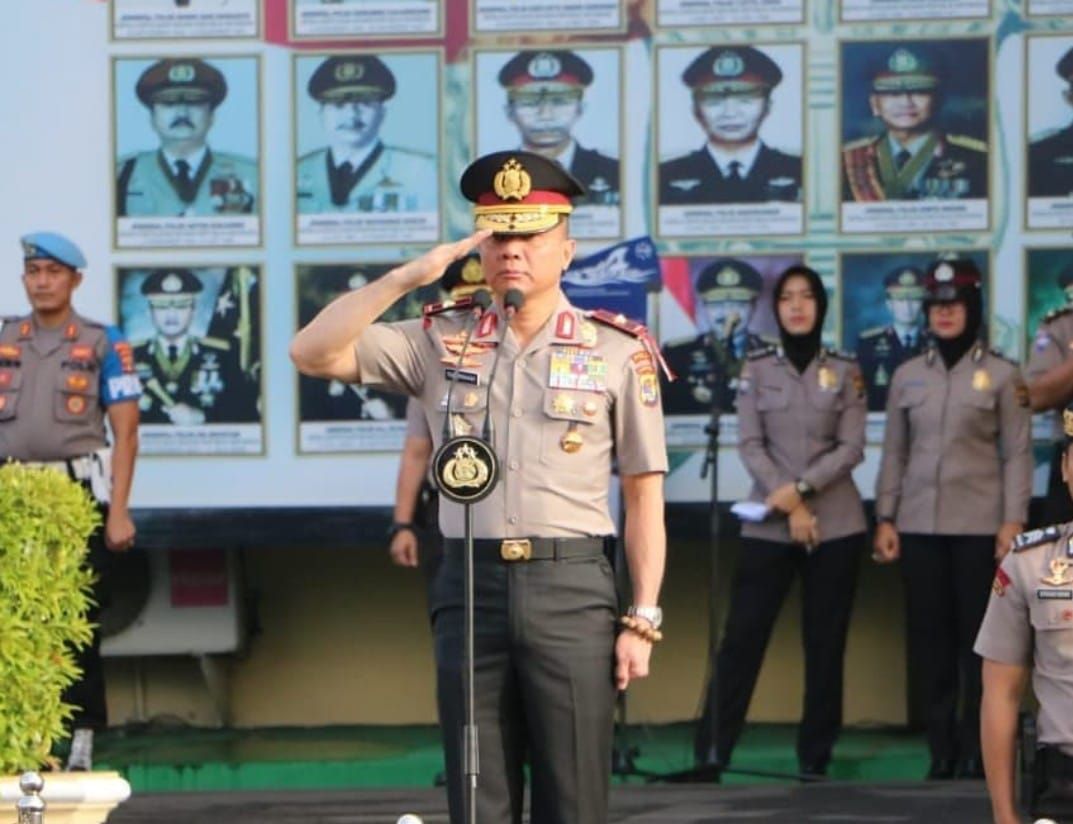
(62, 376)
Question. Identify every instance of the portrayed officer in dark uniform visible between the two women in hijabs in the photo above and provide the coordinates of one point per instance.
(880, 350)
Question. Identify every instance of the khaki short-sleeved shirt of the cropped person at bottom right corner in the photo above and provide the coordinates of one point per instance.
(1030, 623)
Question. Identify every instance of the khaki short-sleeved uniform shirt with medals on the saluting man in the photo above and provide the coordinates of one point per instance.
(576, 376)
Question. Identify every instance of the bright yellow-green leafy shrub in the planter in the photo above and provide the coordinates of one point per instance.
(46, 523)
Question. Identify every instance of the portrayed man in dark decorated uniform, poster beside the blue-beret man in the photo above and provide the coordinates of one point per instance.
(188, 379)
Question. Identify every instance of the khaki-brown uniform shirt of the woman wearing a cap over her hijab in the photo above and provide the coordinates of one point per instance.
(958, 457)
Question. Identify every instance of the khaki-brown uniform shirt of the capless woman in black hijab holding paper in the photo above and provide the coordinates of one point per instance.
(807, 426)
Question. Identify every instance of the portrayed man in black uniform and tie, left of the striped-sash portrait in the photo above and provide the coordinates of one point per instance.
(731, 90)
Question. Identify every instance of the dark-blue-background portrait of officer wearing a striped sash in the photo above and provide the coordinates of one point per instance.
(922, 109)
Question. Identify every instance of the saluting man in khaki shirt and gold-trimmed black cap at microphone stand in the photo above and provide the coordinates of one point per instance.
(575, 391)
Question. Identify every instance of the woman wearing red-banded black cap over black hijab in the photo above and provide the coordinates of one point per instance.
(951, 495)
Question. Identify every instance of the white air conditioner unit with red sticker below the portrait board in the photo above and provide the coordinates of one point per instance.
(174, 602)
